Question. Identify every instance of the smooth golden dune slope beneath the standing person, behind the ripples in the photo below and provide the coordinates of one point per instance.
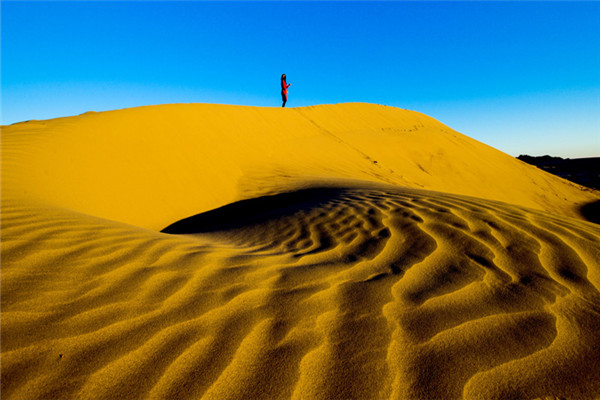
(150, 166)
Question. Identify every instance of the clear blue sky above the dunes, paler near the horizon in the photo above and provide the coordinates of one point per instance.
(523, 77)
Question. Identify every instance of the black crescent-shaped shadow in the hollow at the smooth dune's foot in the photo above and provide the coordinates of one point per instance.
(253, 211)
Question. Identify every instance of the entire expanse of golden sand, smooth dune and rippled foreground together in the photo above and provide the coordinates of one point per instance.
(335, 251)
